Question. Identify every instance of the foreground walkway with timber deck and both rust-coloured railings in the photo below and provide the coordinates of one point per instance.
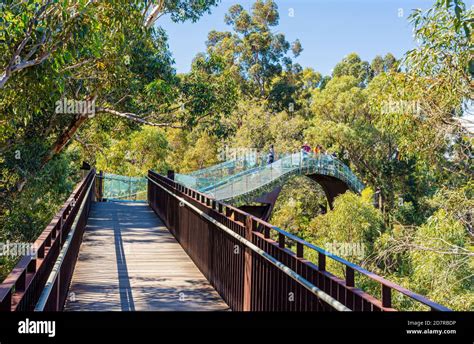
(105, 256)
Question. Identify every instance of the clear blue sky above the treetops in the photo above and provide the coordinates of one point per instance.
(327, 29)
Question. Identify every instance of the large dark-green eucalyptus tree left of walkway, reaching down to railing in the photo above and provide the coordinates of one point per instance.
(94, 52)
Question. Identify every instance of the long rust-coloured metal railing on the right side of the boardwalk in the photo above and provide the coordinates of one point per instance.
(251, 271)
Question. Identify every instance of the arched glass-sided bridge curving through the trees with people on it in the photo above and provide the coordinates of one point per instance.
(246, 178)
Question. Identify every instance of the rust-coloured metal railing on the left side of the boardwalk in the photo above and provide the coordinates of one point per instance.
(22, 288)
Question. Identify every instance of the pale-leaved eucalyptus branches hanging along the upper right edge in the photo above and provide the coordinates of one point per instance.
(443, 65)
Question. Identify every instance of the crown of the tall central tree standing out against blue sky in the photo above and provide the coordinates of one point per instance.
(254, 54)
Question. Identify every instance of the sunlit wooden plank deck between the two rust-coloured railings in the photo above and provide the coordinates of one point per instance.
(129, 261)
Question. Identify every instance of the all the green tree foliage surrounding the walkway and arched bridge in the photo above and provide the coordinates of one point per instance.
(393, 122)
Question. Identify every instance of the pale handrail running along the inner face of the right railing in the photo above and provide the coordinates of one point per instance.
(307, 284)
